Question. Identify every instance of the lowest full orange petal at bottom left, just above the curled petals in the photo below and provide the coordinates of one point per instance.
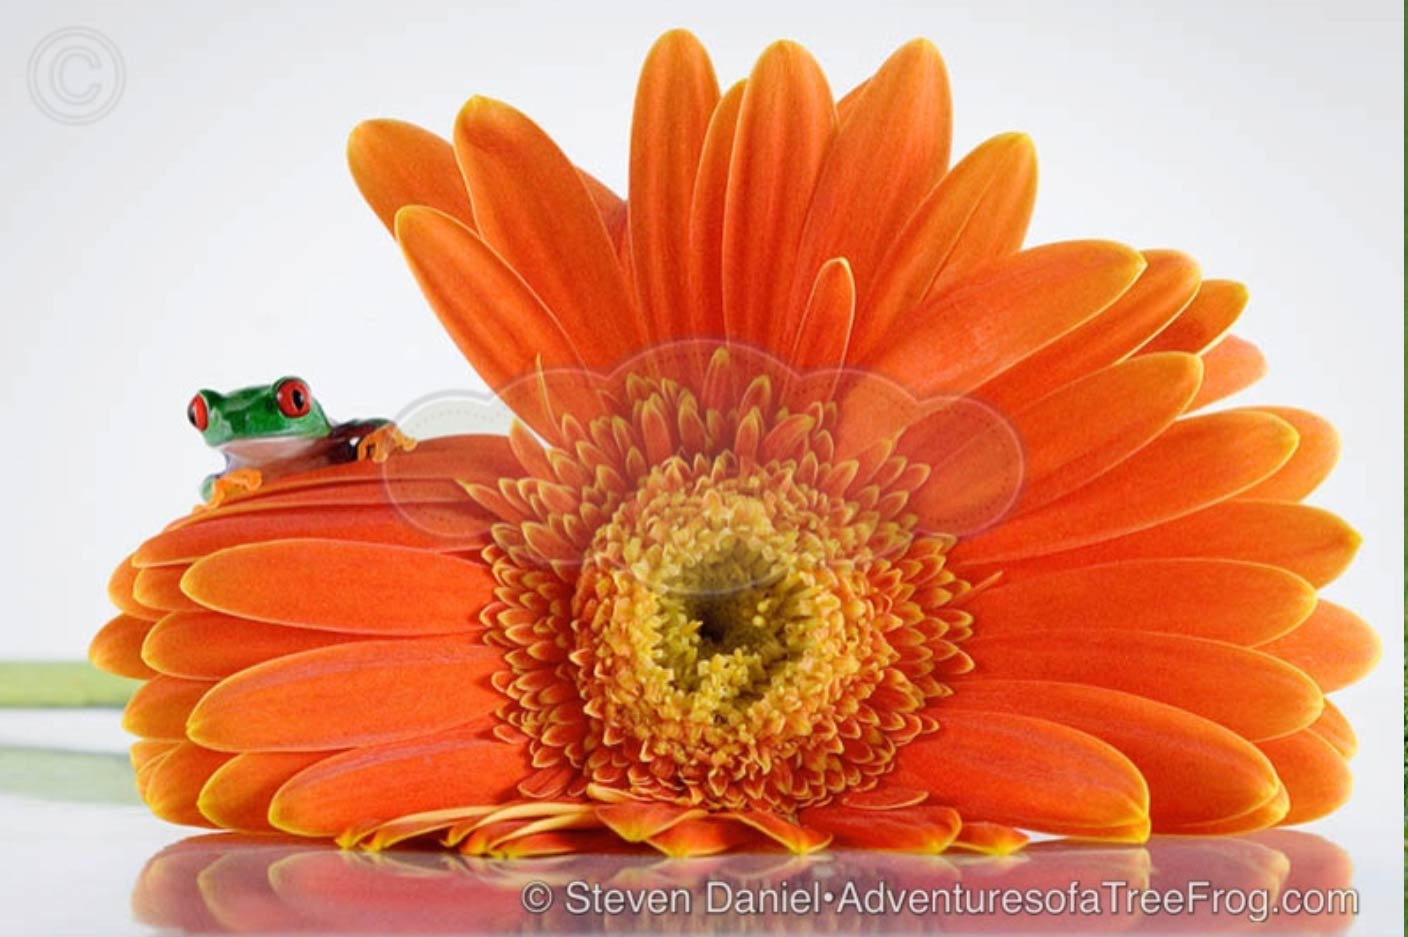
(368, 787)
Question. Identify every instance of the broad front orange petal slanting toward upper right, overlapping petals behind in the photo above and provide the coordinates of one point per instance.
(1003, 314)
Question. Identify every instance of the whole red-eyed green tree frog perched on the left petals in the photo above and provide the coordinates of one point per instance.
(275, 430)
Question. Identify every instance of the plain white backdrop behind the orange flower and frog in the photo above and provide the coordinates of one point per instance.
(206, 233)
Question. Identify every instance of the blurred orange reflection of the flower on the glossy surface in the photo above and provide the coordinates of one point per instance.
(240, 884)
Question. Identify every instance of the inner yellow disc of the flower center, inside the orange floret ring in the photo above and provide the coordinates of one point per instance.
(726, 616)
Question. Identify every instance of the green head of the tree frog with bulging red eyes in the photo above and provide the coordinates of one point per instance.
(281, 411)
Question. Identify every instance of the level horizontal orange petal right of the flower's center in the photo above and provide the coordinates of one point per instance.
(1237, 602)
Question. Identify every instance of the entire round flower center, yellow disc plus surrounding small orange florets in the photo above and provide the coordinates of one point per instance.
(751, 622)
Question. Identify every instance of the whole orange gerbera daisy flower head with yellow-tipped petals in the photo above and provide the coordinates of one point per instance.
(834, 516)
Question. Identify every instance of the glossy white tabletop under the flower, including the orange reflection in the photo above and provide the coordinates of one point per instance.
(81, 857)
